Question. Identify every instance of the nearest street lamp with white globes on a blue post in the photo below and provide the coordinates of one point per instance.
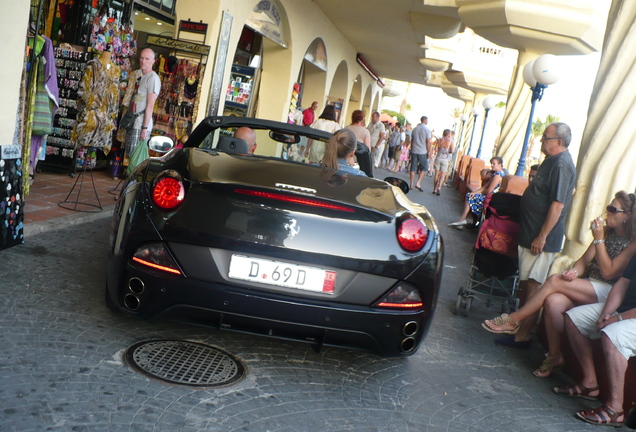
(538, 74)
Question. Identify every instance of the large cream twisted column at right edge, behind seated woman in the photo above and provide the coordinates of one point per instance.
(608, 147)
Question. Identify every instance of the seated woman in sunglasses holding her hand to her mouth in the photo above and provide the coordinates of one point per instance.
(588, 281)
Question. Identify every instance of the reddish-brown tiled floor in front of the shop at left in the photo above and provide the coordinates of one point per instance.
(51, 188)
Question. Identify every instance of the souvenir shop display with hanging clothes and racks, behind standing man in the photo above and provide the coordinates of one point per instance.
(94, 46)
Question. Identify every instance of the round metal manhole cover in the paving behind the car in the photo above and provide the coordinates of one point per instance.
(185, 363)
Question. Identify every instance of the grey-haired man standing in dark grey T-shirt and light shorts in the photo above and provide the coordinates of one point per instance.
(544, 205)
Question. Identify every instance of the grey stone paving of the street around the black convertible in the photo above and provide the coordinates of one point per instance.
(61, 367)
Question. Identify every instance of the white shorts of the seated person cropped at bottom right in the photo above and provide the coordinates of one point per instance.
(621, 333)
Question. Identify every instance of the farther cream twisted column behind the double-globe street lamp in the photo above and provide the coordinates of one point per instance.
(515, 120)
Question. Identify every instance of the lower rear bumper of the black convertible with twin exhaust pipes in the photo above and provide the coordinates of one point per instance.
(387, 332)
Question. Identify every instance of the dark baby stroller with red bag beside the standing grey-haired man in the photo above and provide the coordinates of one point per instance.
(494, 263)
